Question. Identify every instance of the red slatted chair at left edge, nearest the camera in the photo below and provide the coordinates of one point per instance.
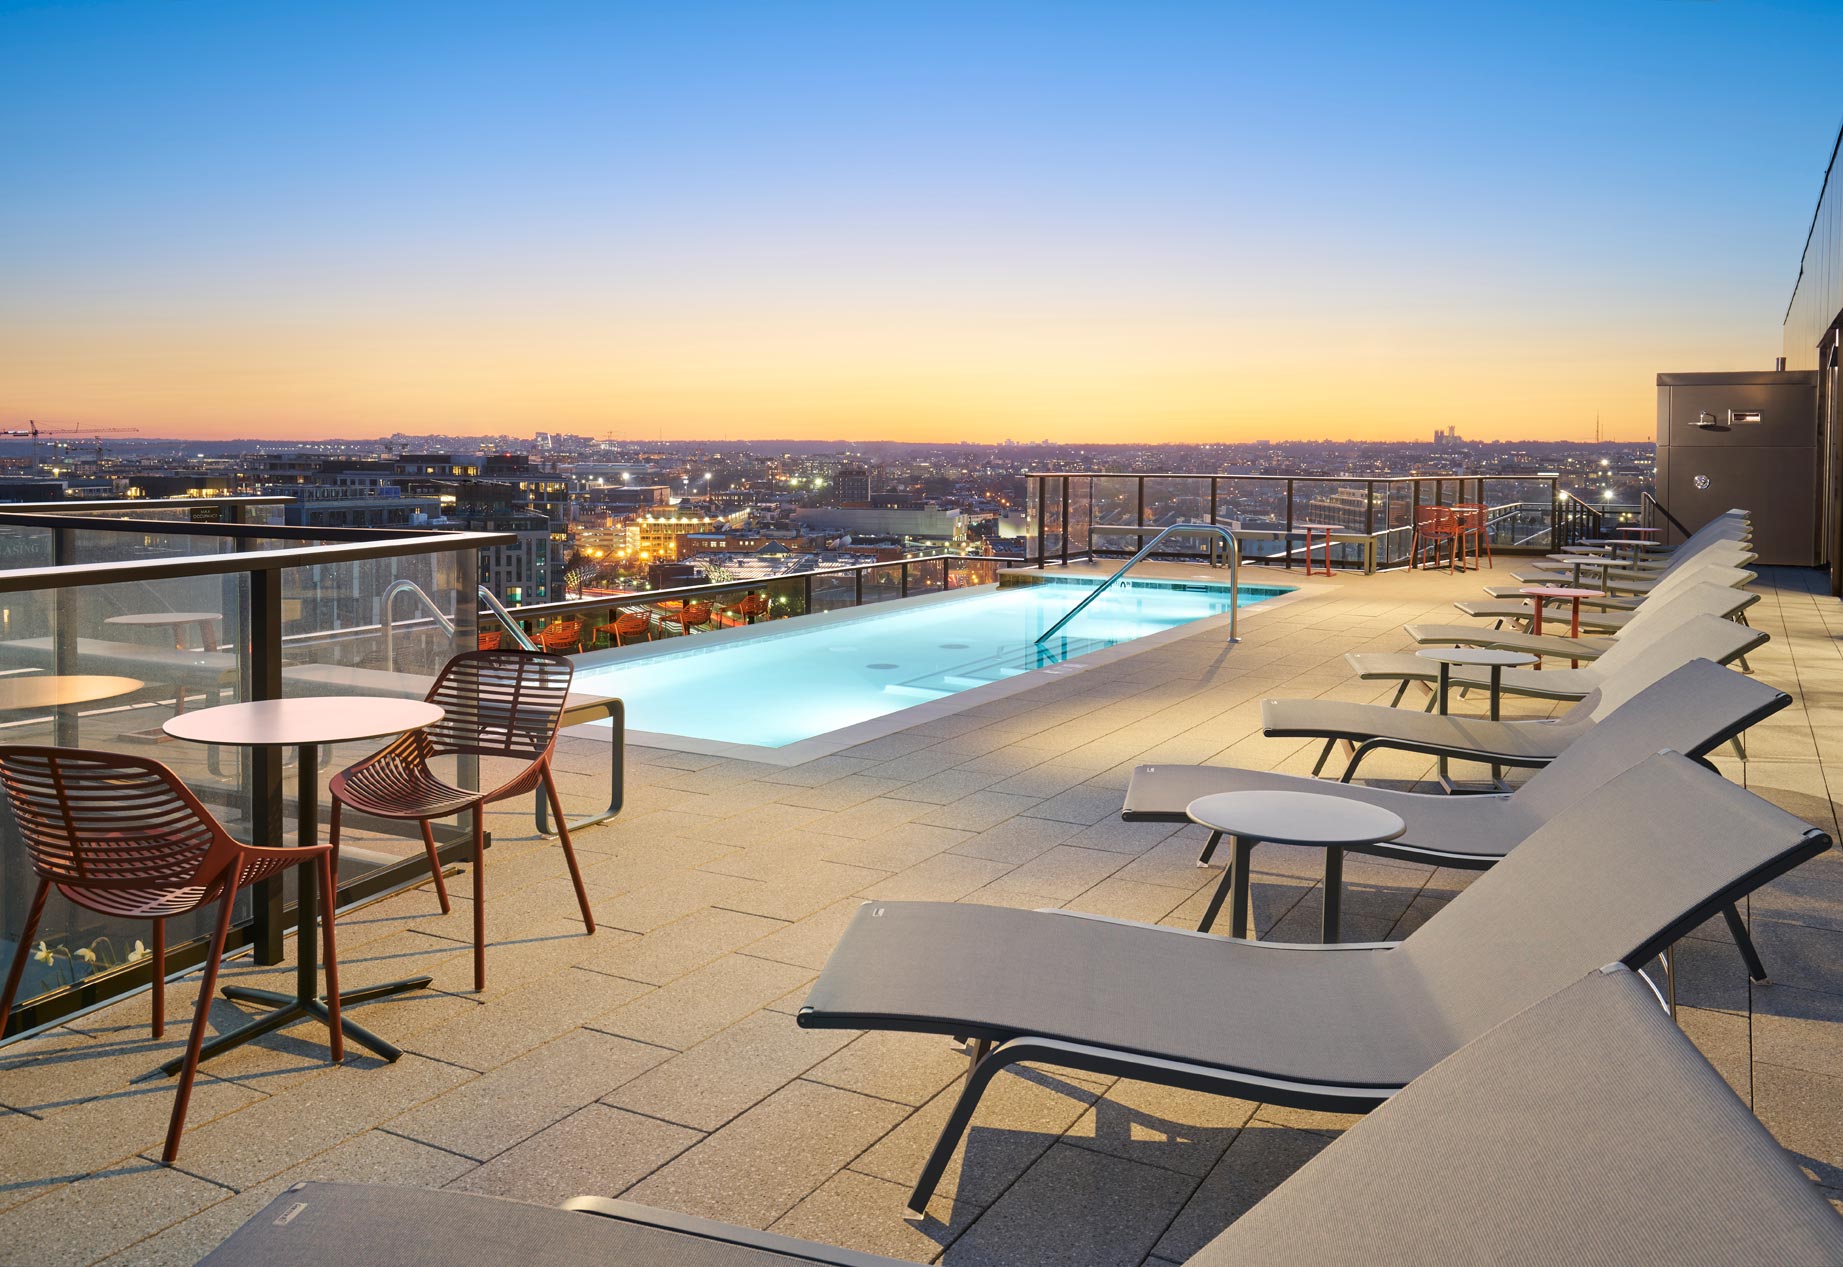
(124, 836)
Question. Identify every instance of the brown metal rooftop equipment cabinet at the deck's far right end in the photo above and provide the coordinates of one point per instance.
(1746, 440)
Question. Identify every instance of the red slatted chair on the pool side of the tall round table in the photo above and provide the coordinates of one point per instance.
(499, 704)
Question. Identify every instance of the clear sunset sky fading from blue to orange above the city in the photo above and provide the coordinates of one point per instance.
(876, 220)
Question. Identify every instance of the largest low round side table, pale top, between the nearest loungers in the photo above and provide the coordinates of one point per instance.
(1287, 818)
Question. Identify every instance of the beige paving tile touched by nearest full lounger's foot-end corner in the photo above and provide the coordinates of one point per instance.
(729, 1072)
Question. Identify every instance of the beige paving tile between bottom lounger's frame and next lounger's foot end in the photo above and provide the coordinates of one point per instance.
(773, 1157)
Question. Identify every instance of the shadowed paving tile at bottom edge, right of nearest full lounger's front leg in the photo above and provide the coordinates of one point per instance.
(1077, 1207)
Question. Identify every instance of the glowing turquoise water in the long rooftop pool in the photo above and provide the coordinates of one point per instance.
(814, 678)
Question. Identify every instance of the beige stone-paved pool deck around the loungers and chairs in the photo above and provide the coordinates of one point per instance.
(661, 1061)
